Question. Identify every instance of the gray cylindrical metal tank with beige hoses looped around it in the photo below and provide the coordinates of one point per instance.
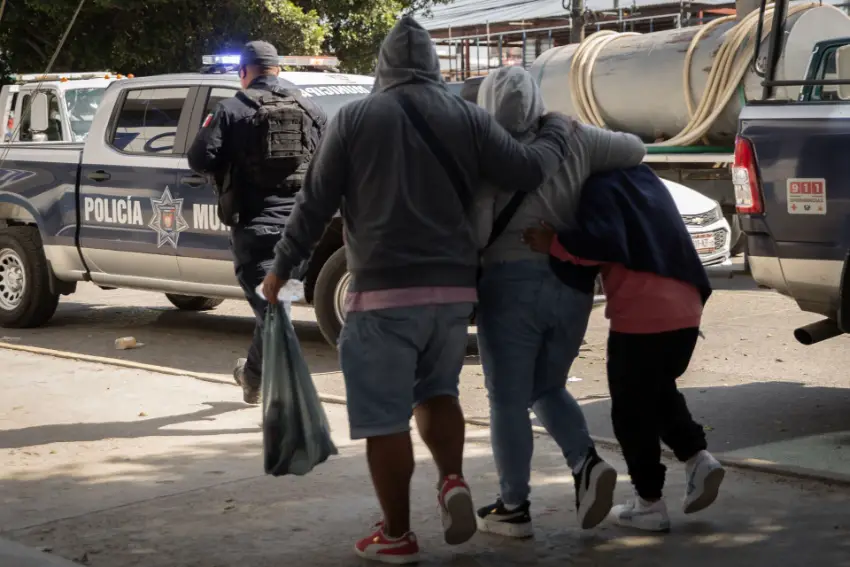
(637, 80)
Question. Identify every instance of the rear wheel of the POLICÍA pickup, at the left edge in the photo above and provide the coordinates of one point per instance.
(25, 297)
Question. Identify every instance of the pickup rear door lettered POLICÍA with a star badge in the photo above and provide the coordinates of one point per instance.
(131, 217)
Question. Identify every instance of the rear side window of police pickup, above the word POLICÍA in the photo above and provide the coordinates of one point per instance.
(147, 121)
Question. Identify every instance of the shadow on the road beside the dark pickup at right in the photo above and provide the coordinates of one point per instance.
(748, 415)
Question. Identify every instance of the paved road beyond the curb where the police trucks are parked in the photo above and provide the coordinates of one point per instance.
(758, 392)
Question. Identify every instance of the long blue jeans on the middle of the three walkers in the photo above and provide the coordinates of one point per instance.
(530, 328)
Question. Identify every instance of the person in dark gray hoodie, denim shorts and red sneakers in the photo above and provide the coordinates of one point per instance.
(403, 165)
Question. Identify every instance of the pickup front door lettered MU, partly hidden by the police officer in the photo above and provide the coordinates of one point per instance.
(204, 255)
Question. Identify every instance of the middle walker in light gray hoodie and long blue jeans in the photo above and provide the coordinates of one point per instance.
(530, 323)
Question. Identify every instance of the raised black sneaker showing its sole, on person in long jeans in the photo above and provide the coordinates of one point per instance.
(594, 485)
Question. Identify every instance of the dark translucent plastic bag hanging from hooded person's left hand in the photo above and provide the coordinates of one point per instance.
(296, 433)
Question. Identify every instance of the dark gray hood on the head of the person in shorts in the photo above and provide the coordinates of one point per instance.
(407, 56)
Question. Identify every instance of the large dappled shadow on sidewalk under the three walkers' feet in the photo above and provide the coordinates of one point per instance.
(314, 520)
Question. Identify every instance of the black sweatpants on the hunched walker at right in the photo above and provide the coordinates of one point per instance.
(646, 405)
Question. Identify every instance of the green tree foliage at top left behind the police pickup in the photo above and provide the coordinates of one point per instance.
(163, 36)
